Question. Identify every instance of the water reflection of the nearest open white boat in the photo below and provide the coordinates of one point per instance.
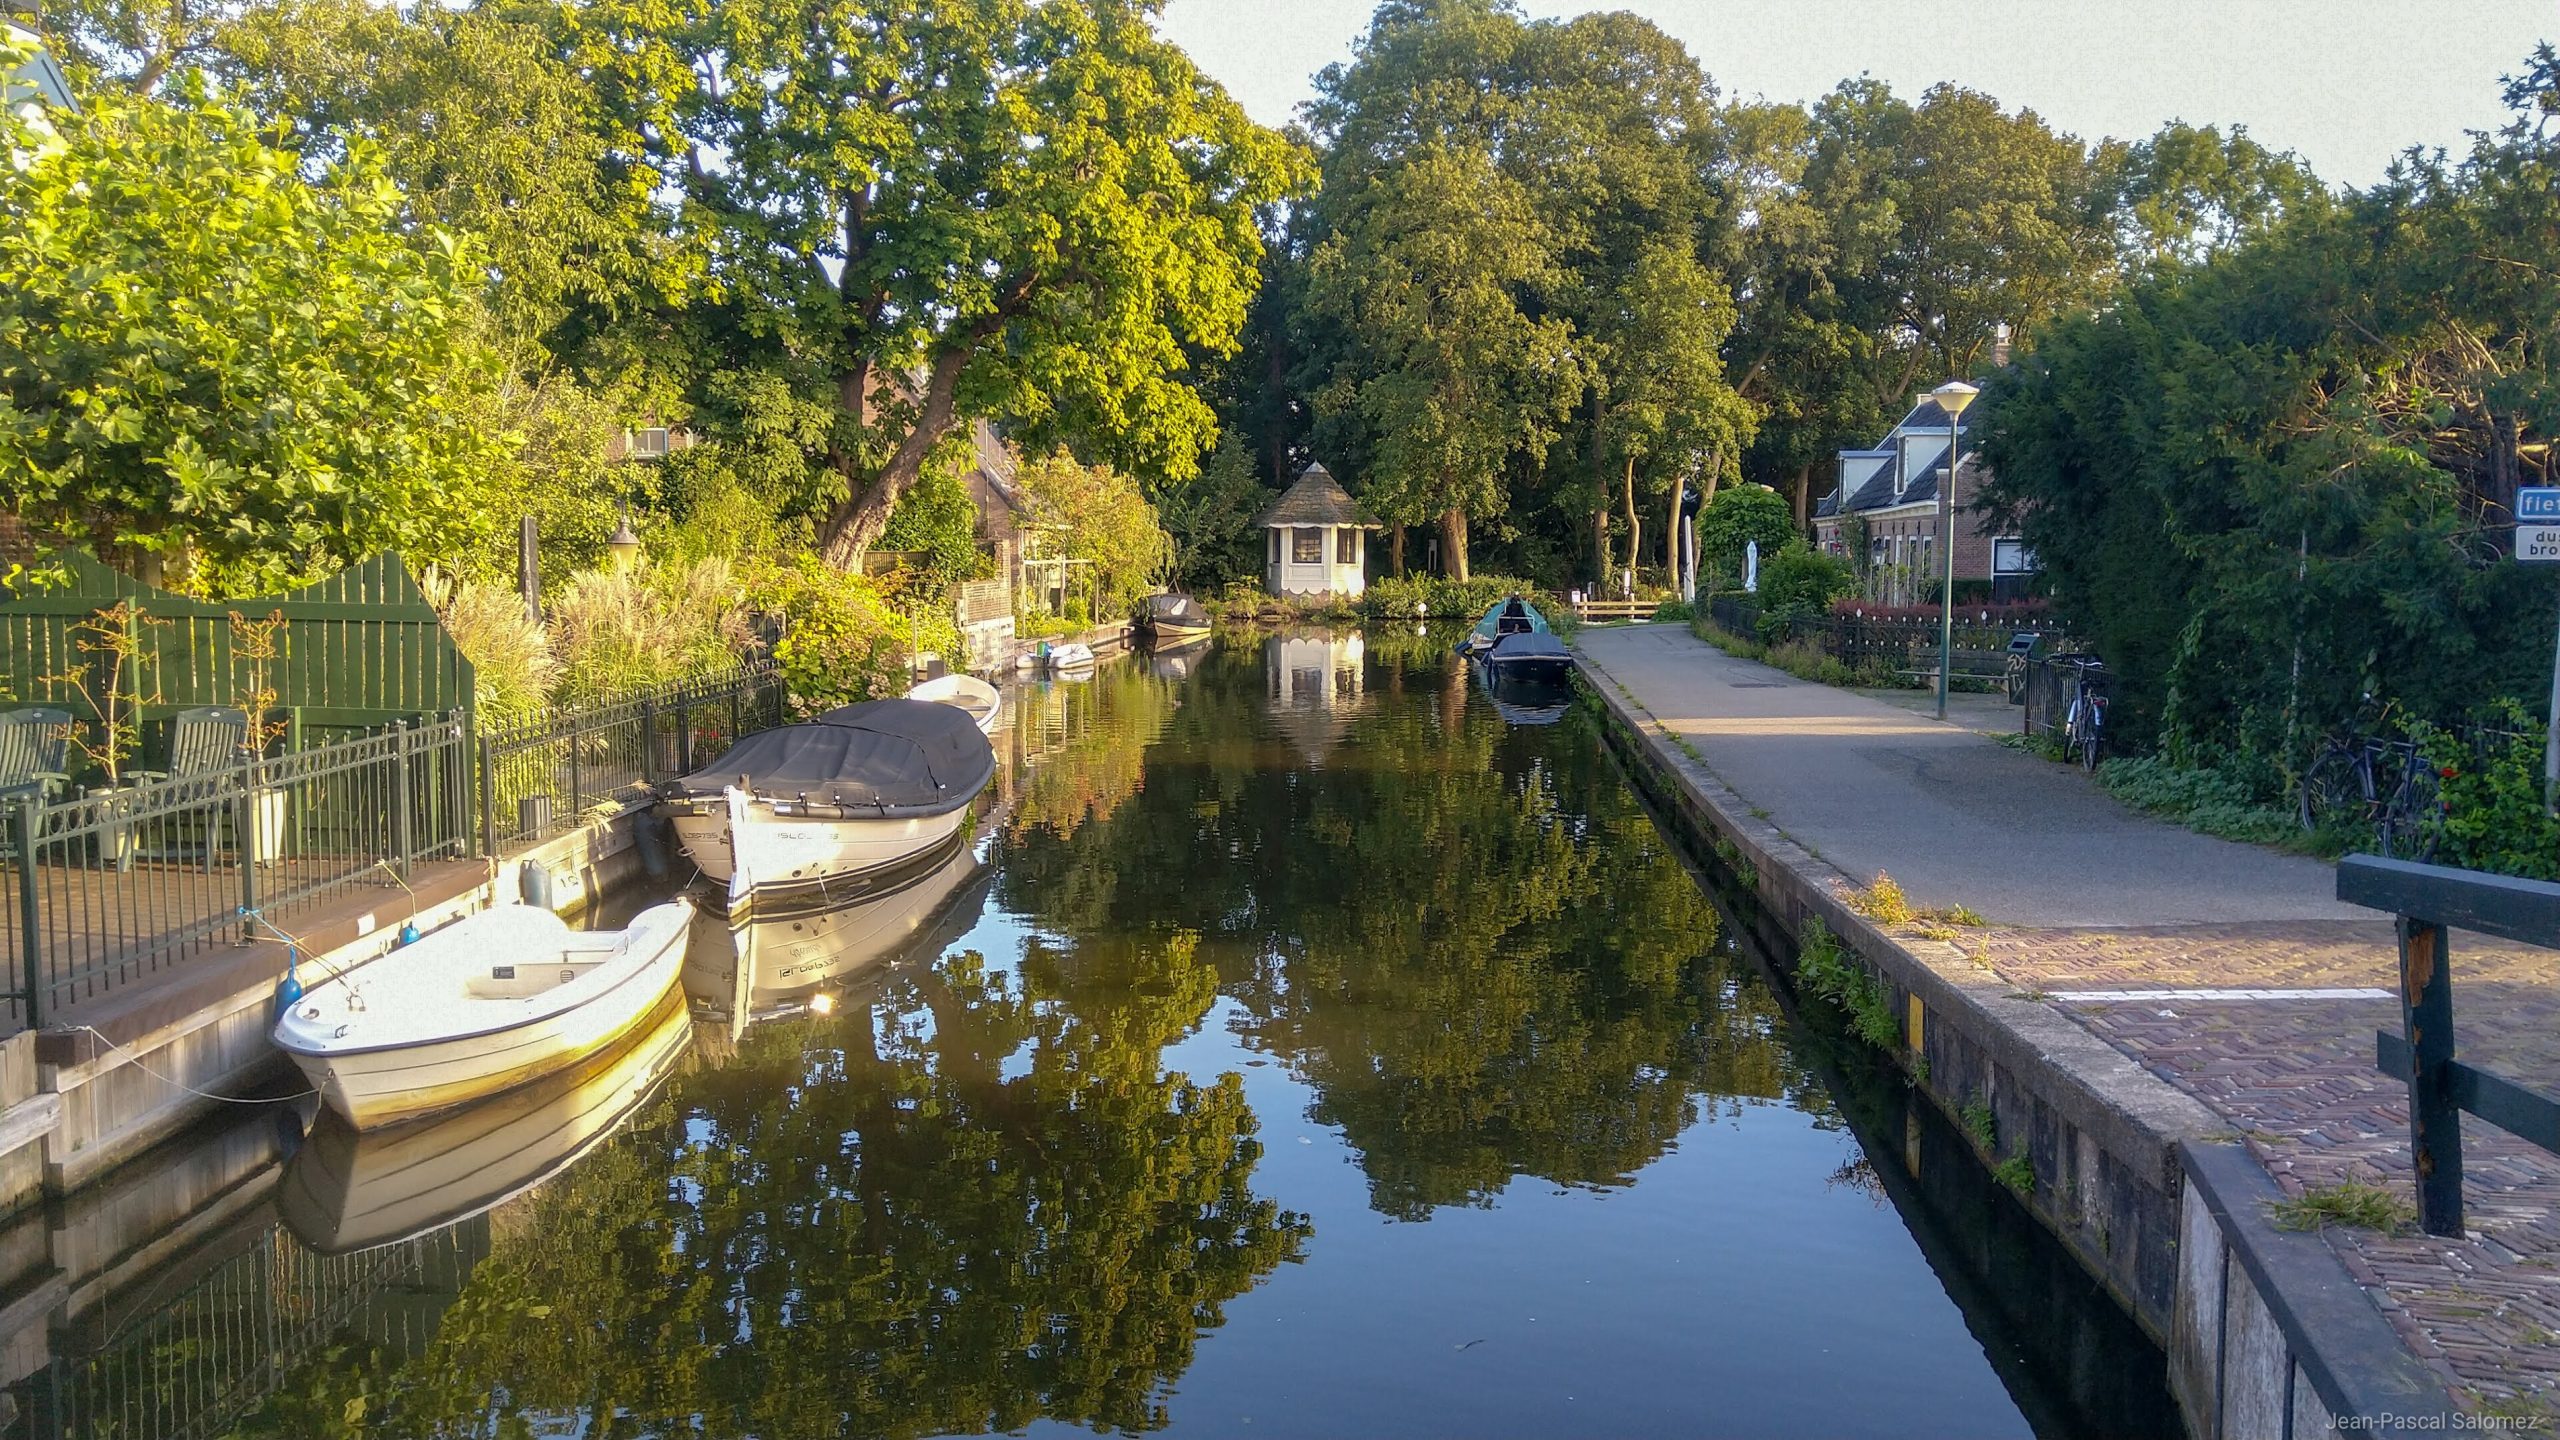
(352, 1190)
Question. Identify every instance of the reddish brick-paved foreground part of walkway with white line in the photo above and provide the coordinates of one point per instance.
(2298, 1077)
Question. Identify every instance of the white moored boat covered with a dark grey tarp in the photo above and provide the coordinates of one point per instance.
(823, 803)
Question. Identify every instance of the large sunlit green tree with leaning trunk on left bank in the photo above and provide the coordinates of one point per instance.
(974, 209)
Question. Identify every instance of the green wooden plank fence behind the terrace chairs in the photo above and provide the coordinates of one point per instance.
(360, 650)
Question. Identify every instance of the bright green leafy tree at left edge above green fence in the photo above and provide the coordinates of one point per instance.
(242, 370)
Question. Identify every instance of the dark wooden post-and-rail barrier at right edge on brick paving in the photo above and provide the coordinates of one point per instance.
(2428, 906)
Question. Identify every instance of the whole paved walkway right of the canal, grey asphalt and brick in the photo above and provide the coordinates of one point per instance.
(2226, 970)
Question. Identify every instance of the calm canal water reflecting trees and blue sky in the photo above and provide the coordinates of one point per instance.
(1307, 1047)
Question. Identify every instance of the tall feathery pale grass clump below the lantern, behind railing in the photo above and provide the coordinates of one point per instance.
(618, 632)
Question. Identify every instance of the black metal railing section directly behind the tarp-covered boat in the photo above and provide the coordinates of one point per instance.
(557, 770)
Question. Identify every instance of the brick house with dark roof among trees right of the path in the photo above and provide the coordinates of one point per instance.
(1896, 493)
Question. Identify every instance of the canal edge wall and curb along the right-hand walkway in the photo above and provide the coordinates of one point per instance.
(2149, 1190)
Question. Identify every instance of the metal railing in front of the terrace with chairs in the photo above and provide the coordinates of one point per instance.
(127, 883)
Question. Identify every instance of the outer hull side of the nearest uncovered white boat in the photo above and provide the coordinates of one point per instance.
(390, 1085)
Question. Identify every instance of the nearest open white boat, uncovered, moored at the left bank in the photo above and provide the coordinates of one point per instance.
(477, 1008)
